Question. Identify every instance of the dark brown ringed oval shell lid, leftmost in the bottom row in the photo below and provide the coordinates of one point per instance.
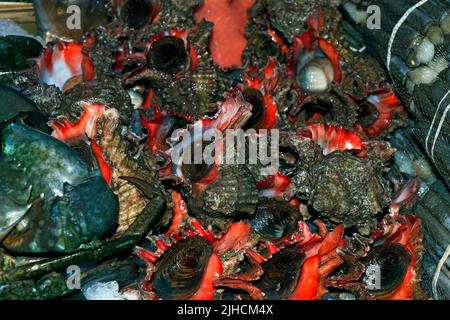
(180, 272)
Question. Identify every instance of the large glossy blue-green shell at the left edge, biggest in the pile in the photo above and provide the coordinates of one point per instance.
(64, 214)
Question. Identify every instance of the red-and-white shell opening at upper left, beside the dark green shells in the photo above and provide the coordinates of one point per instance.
(64, 61)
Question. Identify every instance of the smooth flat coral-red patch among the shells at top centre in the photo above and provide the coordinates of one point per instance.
(228, 39)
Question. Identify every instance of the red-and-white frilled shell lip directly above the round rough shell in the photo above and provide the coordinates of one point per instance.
(332, 138)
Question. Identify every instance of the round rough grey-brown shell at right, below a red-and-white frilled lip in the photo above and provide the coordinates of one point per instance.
(349, 190)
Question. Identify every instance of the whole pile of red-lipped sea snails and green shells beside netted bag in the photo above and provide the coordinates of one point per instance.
(90, 123)
